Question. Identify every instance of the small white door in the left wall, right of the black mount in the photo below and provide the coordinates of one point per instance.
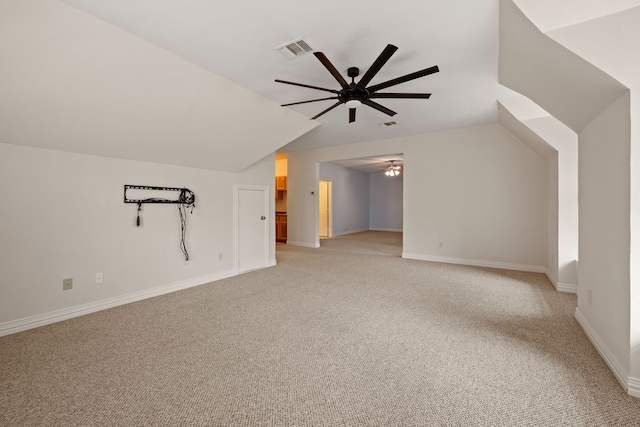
(252, 228)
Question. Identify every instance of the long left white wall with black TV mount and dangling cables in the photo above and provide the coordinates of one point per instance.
(63, 216)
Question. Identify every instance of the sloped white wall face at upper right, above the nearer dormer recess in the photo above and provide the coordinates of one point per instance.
(561, 82)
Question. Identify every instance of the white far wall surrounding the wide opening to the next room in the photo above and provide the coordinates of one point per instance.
(479, 190)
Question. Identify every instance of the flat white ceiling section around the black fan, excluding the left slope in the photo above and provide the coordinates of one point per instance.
(236, 40)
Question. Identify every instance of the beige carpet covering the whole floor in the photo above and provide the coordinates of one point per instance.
(346, 335)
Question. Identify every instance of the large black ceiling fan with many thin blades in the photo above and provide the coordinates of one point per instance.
(355, 94)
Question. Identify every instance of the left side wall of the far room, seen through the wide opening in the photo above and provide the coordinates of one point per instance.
(349, 198)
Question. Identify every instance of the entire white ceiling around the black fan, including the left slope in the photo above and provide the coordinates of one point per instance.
(190, 81)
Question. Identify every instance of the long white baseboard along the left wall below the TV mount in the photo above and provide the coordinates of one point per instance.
(19, 325)
